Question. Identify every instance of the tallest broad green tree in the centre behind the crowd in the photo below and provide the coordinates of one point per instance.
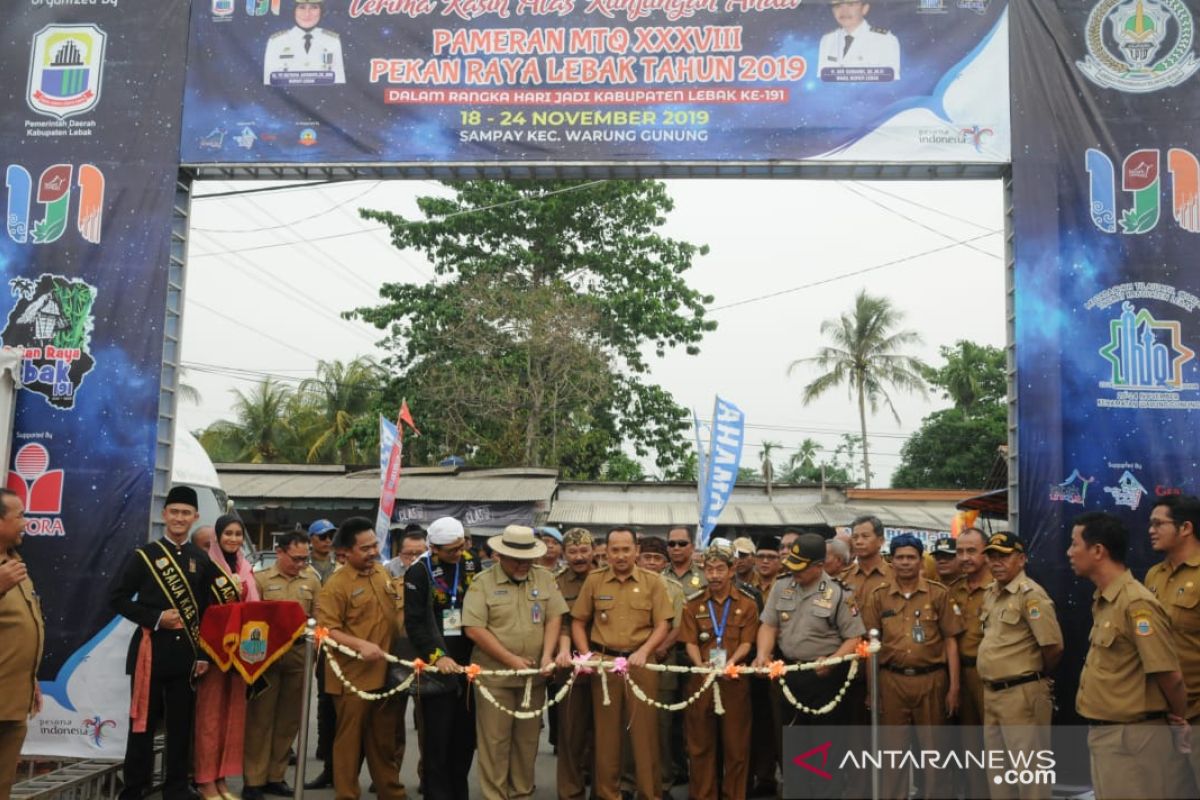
(532, 344)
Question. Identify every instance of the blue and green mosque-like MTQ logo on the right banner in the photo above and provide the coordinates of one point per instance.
(1147, 360)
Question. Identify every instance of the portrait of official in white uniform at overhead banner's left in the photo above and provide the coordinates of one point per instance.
(305, 55)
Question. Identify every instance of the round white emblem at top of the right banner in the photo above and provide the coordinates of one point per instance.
(1139, 46)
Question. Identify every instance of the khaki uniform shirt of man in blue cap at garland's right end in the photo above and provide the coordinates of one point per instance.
(897, 618)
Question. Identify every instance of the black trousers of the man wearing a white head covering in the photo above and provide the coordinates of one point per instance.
(449, 724)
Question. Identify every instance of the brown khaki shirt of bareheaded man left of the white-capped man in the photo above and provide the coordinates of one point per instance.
(364, 606)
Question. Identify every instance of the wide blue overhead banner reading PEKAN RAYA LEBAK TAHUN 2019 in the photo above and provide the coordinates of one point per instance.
(597, 81)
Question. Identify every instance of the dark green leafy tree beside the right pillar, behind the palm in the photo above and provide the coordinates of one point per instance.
(956, 448)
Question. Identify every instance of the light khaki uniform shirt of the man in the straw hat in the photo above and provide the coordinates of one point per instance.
(515, 613)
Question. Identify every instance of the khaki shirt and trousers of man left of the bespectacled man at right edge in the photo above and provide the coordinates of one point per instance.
(1131, 642)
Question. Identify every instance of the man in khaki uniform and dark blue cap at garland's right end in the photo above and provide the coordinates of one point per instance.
(919, 659)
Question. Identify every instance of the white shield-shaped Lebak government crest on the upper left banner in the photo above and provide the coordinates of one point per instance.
(67, 65)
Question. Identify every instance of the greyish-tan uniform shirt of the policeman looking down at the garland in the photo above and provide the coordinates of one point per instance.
(813, 623)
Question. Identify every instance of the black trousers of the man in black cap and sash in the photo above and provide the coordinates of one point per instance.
(175, 699)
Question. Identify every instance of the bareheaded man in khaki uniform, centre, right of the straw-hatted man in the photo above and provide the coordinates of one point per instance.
(623, 611)
